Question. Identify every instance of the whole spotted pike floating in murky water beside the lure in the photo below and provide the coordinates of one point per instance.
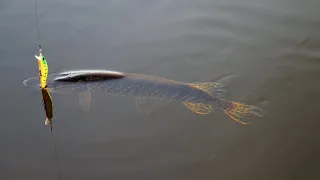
(199, 97)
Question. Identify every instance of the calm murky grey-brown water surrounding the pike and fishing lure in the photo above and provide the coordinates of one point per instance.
(273, 46)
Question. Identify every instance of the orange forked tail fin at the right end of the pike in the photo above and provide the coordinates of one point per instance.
(239, 111)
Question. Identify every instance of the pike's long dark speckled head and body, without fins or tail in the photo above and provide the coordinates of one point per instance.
(129, 84)
